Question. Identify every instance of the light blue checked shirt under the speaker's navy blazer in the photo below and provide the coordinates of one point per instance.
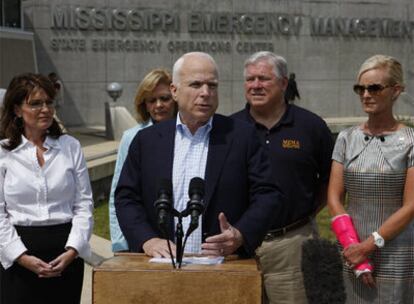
(190, 158)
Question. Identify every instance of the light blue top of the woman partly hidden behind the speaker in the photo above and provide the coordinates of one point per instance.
(118, 241)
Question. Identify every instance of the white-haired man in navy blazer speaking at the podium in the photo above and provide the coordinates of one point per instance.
(240, 200)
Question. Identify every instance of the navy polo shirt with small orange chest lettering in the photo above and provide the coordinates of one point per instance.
(300, 147)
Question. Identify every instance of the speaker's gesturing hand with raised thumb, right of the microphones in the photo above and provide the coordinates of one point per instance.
(224, 243)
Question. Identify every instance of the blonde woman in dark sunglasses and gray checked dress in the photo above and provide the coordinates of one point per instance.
(373, 164)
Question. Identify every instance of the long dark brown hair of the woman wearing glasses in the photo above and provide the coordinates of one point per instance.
(19, 89)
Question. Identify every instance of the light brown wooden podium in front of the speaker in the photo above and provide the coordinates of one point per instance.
(130, 278)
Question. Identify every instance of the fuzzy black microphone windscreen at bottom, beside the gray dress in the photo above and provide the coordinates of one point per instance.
(322, 272)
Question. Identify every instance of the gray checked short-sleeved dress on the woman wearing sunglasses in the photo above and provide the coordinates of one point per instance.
(374, 176)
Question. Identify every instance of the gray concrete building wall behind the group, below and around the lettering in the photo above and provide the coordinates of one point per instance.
(325, 62)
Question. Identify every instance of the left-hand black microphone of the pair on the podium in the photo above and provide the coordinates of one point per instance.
(163, 203)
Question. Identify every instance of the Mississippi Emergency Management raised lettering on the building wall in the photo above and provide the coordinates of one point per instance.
(139, 30)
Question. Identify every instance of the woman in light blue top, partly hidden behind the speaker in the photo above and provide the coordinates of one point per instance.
(153, 103)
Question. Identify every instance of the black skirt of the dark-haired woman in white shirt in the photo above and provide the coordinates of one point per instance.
(21, 286)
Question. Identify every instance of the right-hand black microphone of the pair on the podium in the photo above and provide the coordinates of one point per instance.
(195, 206)
